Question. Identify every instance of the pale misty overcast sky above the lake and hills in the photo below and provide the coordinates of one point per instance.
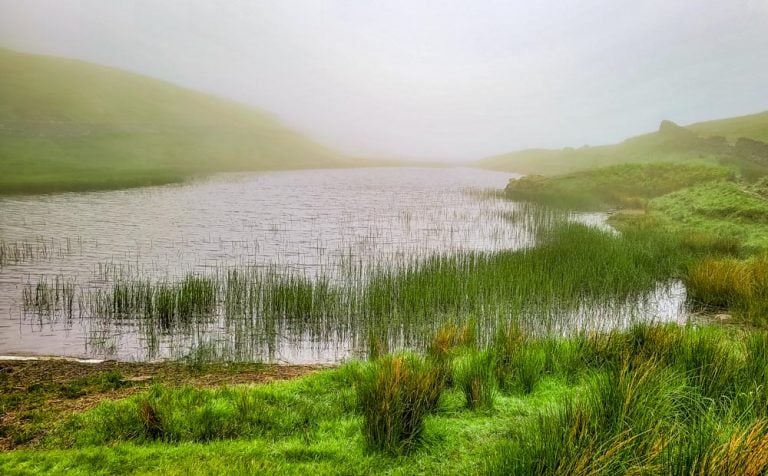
(430, 79)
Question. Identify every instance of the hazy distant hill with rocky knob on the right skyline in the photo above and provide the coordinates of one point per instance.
(734, 140)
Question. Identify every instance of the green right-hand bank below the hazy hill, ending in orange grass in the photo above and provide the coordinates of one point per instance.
(706, 207)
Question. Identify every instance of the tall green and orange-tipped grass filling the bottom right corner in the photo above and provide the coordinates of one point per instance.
(659, 400)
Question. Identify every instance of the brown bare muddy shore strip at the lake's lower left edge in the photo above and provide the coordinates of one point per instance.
(34, 394)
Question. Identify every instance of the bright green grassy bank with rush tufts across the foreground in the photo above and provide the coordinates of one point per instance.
(654, 400)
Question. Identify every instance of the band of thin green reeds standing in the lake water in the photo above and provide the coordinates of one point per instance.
(574, 268)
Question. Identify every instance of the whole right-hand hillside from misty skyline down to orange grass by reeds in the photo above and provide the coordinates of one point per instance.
(716, 204)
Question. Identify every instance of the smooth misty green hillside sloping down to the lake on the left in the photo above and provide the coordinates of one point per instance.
(71, 125)
